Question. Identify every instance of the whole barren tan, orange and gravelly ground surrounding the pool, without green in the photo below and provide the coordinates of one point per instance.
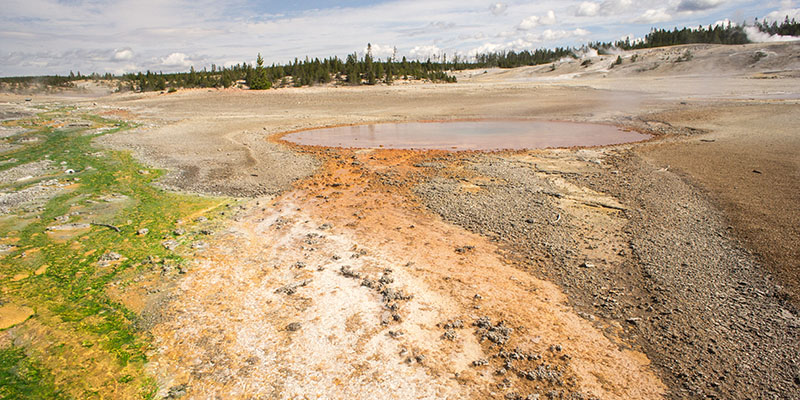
(659, 269)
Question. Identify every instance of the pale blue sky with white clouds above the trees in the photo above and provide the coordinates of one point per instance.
(40, 37)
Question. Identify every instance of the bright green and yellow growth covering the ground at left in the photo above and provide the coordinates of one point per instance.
(73, 288)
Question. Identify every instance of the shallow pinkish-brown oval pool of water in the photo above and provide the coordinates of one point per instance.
(467, 135)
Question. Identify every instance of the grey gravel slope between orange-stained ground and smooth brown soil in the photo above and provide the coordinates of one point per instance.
(682, 287)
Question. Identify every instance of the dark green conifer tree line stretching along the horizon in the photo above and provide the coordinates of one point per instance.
(368, 70)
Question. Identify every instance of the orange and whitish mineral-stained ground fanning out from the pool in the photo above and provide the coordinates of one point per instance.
(343, 289)
